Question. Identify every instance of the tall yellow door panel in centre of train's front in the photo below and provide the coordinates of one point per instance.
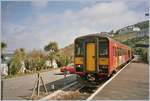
(90, 57)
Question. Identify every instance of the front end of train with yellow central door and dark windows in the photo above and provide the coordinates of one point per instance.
(91, 57)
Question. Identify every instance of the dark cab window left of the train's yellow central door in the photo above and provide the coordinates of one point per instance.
(79, 49)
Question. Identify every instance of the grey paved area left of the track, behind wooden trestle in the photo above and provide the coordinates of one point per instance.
(20, 88)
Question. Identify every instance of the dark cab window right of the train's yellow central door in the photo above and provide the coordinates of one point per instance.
(103, 48)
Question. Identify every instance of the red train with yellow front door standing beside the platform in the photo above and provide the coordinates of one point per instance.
(97, 56)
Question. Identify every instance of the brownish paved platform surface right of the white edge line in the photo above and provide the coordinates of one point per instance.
(130, 84)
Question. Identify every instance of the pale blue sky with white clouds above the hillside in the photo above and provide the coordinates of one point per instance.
(33, 24)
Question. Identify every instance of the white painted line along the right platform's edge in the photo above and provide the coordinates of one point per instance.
(99, 89)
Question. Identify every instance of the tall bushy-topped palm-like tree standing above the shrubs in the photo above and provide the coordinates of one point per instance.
(52, 49)
